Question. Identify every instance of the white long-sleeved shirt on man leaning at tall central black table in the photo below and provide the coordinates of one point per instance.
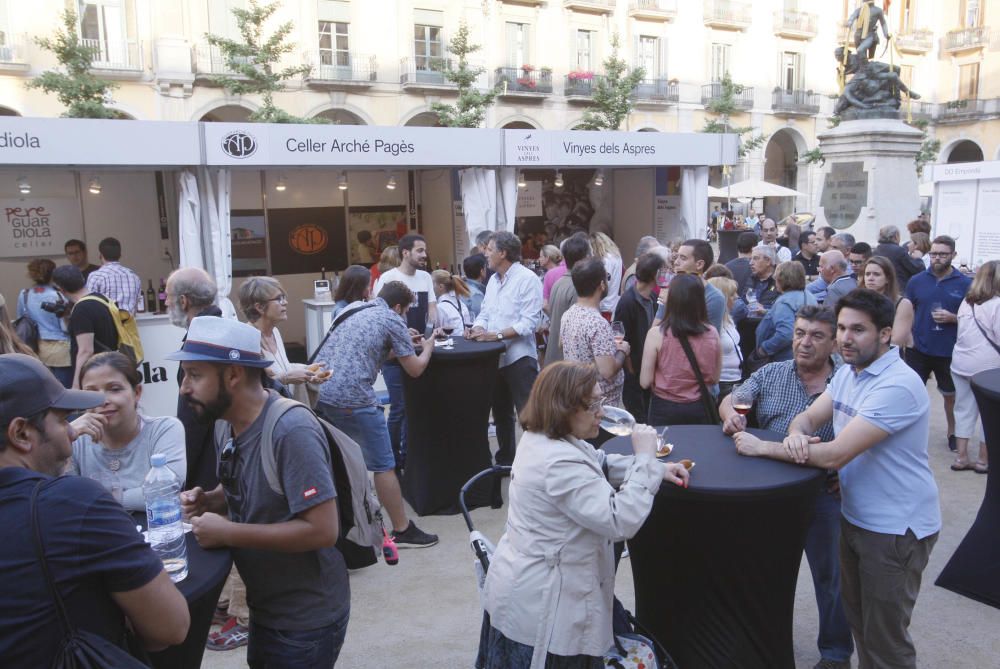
(513, 301)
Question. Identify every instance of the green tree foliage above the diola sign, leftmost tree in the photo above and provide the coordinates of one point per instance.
(84, 94)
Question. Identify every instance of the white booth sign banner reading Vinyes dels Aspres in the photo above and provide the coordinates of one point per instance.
(535, 148)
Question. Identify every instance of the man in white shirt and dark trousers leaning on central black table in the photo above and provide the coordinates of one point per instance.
(511, 311)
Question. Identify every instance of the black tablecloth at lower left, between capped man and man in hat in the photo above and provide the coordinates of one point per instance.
(207, 572)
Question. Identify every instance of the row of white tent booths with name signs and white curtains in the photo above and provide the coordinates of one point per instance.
(291, 200)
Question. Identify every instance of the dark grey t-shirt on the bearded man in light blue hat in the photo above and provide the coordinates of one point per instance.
(287, 591)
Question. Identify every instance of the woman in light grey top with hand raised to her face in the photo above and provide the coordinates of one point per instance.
(115, 442)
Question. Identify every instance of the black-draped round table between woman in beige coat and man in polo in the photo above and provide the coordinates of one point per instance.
(715, 565)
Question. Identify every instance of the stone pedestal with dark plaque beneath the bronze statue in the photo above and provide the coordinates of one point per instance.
(869, 178)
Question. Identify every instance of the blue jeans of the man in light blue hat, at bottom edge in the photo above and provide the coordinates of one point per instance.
(293, 649)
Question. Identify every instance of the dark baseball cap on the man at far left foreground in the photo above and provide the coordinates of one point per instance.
(27, 387)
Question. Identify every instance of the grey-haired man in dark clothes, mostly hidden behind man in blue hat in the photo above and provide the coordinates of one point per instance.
(191, 292)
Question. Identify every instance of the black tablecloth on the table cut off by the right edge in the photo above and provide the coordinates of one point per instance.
(974, 569)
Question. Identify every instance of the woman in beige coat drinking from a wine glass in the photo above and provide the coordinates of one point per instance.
(551, 581)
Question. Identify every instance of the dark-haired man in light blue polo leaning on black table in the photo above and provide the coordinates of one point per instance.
(891, 514)
